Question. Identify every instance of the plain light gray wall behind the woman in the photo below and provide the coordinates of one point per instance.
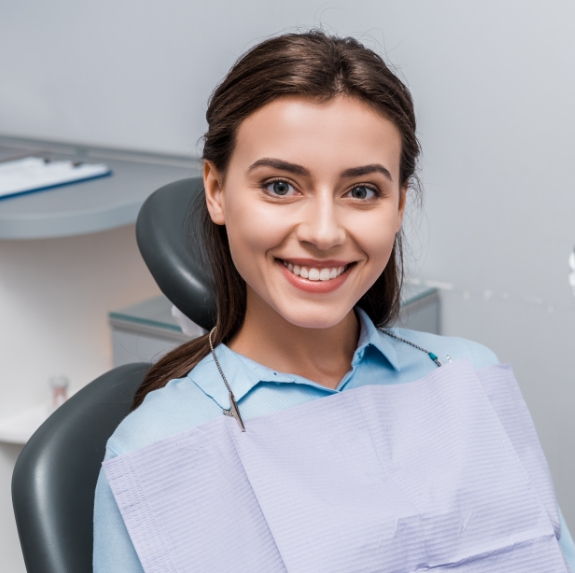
(494, 89)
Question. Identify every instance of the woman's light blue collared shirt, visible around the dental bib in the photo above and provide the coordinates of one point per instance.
(201, 395)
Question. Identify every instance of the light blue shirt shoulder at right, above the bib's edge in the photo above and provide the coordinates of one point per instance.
(443, 346)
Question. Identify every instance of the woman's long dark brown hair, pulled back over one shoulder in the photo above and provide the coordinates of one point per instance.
(313, 65)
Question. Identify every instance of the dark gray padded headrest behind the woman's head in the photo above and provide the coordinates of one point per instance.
(169, 241)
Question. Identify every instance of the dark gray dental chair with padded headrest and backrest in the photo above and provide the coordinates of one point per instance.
(55, 476)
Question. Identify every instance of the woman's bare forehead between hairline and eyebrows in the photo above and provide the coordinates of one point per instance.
(324, 137)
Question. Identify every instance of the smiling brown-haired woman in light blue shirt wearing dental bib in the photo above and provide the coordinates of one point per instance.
(309, 155)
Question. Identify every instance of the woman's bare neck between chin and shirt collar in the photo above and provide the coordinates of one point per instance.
(322, 355)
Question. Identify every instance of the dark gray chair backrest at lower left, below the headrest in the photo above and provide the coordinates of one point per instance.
(55, 476)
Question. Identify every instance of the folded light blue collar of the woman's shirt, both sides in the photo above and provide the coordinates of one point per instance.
(244, 374)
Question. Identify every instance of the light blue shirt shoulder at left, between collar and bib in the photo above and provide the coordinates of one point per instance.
(175, 408)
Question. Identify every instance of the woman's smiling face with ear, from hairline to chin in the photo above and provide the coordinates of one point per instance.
(312, 202)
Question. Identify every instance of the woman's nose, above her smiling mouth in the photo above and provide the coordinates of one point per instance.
(320, 225)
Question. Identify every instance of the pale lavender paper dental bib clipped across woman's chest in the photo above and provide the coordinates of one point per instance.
(445, 473)
